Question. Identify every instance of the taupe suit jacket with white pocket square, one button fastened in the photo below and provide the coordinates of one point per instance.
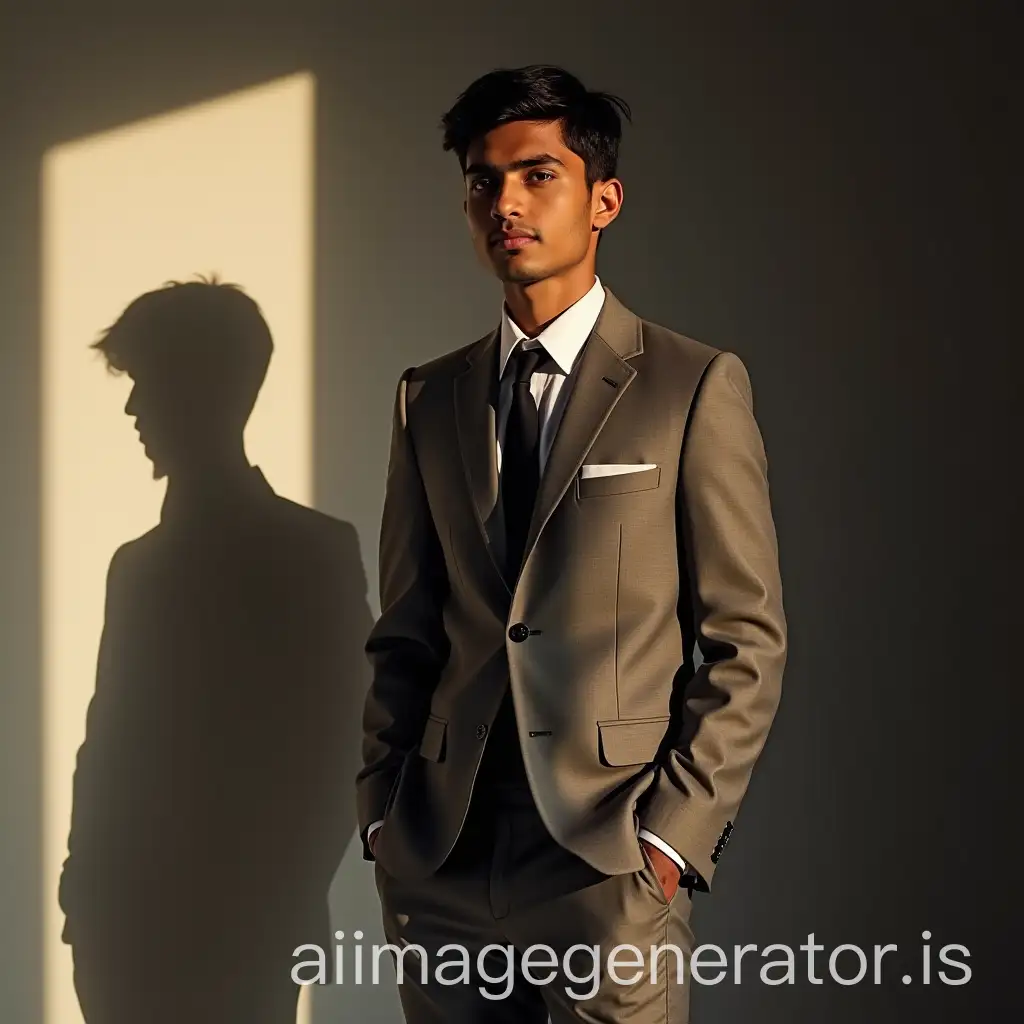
(622, 575)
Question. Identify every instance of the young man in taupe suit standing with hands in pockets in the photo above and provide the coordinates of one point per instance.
(573, 502)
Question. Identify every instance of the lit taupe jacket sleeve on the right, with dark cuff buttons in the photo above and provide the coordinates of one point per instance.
(732, 604)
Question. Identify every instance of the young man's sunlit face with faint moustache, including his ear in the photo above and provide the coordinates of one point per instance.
(522, 178)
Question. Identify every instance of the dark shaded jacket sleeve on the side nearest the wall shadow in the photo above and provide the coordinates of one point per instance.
(408, 647)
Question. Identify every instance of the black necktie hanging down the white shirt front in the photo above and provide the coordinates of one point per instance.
(521, 454)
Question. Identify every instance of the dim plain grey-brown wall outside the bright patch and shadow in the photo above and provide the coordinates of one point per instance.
(823, 194)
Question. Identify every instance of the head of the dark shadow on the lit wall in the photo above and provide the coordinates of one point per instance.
(197, 354)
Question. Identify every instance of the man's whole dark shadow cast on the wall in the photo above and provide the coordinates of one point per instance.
(214, 794)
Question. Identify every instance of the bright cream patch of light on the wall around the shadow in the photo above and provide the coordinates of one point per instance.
(226, 187)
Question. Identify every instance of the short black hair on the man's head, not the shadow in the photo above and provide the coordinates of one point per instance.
(591, 123)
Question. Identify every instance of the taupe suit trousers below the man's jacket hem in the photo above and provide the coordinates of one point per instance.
(463, 936)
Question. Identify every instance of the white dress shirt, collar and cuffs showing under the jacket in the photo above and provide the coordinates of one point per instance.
(564, 340)
